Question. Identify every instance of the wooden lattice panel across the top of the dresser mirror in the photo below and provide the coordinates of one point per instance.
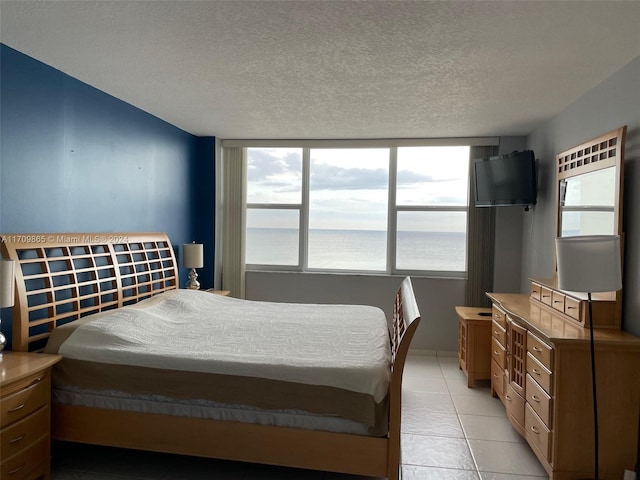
(606, 150)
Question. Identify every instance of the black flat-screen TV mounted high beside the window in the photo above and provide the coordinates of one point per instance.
(506, 180)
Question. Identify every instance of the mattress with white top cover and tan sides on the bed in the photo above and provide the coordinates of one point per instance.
(191, 345)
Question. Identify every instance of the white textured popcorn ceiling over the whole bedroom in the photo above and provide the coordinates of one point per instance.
(334, 69)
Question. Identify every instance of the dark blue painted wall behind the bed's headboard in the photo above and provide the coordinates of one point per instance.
(75, 159)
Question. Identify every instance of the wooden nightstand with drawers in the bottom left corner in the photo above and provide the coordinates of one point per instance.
(25, 415)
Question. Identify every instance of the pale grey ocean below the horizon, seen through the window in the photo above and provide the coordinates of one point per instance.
(358, 250)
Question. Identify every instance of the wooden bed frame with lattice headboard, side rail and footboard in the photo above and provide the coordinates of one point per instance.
(61, 277)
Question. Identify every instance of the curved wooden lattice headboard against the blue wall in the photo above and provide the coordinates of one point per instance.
(61, 277)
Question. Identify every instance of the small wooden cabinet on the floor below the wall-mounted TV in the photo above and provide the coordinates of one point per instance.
(474, 343)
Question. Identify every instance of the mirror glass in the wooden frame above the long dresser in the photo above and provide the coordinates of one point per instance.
(587, 203)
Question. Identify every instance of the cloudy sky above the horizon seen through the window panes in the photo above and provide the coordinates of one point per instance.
(349, 187)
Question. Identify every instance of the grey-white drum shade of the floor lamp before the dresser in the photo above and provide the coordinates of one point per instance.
(589, 263)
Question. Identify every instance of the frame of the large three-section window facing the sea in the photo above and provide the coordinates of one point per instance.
(392, 209)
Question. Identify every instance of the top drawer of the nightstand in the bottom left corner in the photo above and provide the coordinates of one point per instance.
(33, 395)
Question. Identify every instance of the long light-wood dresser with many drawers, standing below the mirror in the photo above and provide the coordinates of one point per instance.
(541, 370)
